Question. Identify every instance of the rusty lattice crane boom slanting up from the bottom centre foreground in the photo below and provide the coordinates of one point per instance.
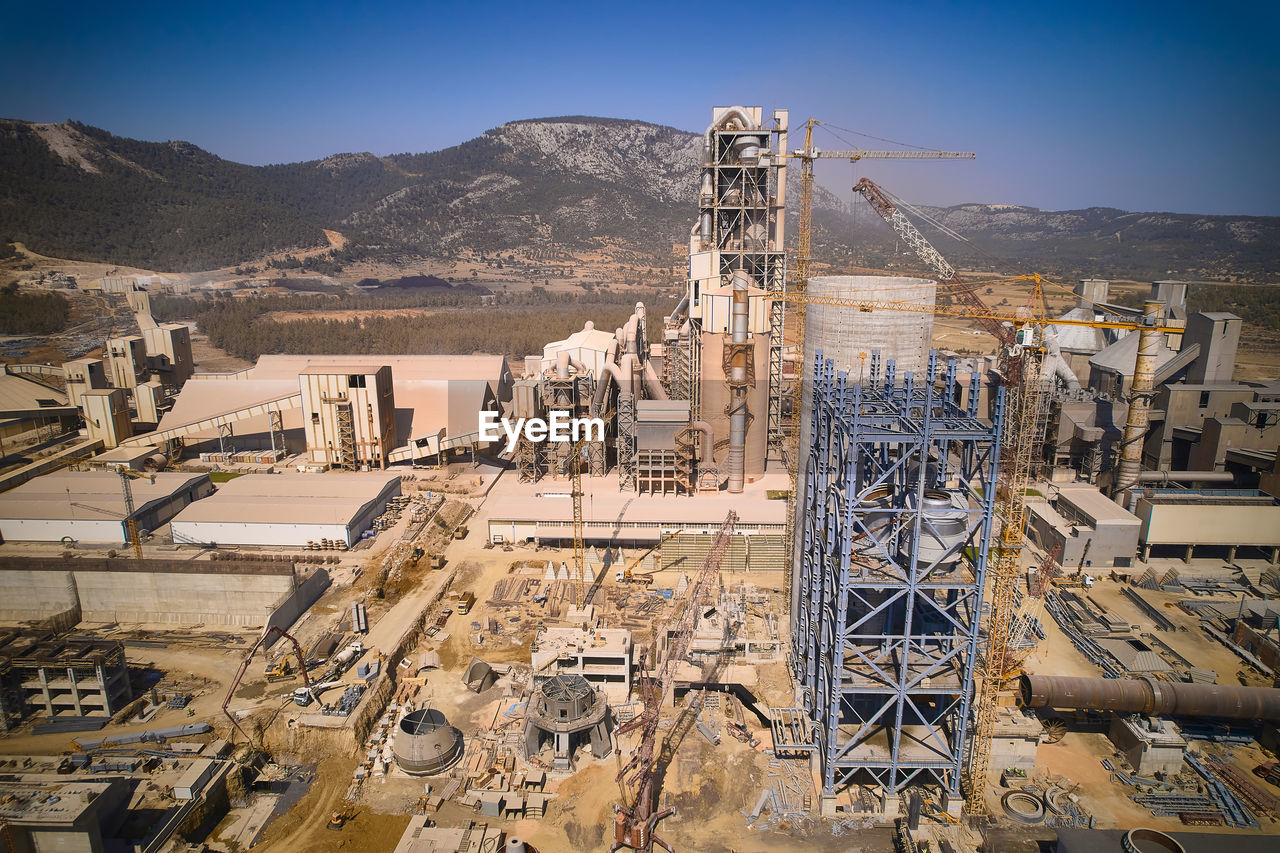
(636, 820)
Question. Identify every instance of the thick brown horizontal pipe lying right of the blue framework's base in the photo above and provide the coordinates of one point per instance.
(1149, 696)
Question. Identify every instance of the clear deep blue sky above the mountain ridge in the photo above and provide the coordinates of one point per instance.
(1168, 107)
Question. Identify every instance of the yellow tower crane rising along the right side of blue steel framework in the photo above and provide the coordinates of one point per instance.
(1021, 361)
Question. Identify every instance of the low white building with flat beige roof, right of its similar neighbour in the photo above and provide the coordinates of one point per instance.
(289, 509)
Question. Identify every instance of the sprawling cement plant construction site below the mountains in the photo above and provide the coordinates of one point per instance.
(819, 581)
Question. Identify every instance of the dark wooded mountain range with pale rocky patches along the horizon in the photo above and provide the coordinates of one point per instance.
(561, 185)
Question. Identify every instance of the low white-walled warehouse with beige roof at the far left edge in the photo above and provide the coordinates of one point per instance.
(89, 507)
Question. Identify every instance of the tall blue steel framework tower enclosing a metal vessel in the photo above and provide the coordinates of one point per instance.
(886, 637)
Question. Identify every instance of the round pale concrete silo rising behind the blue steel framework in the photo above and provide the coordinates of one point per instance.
(848, 336)
